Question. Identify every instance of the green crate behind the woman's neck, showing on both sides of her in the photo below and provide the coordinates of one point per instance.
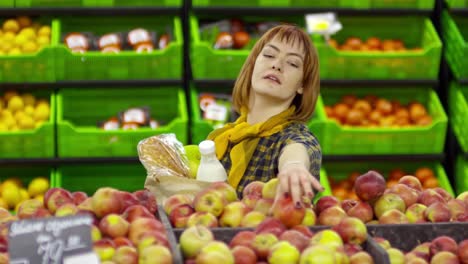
(201, 127)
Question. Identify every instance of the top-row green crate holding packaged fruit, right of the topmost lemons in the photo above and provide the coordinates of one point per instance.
(94, 65)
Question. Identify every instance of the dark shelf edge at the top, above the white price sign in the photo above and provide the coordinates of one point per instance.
(285, 11)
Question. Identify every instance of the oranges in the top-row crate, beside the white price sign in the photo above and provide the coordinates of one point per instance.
(370, 44)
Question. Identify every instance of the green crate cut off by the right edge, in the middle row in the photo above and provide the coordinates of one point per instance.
(458, 112)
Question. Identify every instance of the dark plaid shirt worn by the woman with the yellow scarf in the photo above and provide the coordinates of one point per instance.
(264, 163)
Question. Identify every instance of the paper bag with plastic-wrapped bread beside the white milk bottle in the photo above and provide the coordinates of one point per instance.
(168, 167)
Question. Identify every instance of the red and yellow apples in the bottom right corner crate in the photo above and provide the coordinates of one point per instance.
(441, 250)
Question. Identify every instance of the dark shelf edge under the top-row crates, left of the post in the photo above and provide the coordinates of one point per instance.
(93, 83)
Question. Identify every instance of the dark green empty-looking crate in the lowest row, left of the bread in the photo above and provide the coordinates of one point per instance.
(89, 178)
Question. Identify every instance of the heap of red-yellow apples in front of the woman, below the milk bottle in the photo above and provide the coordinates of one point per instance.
(219, 206)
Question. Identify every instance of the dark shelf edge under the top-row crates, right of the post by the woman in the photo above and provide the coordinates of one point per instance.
(350, 83)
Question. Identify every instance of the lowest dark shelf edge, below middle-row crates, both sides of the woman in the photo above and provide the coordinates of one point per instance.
(85, 160)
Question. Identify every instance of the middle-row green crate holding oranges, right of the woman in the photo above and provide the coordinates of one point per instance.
(405, 140)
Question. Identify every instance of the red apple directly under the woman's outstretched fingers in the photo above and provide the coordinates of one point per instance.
(285, 211)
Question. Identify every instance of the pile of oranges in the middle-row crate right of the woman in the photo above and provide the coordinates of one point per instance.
(373, 111)
